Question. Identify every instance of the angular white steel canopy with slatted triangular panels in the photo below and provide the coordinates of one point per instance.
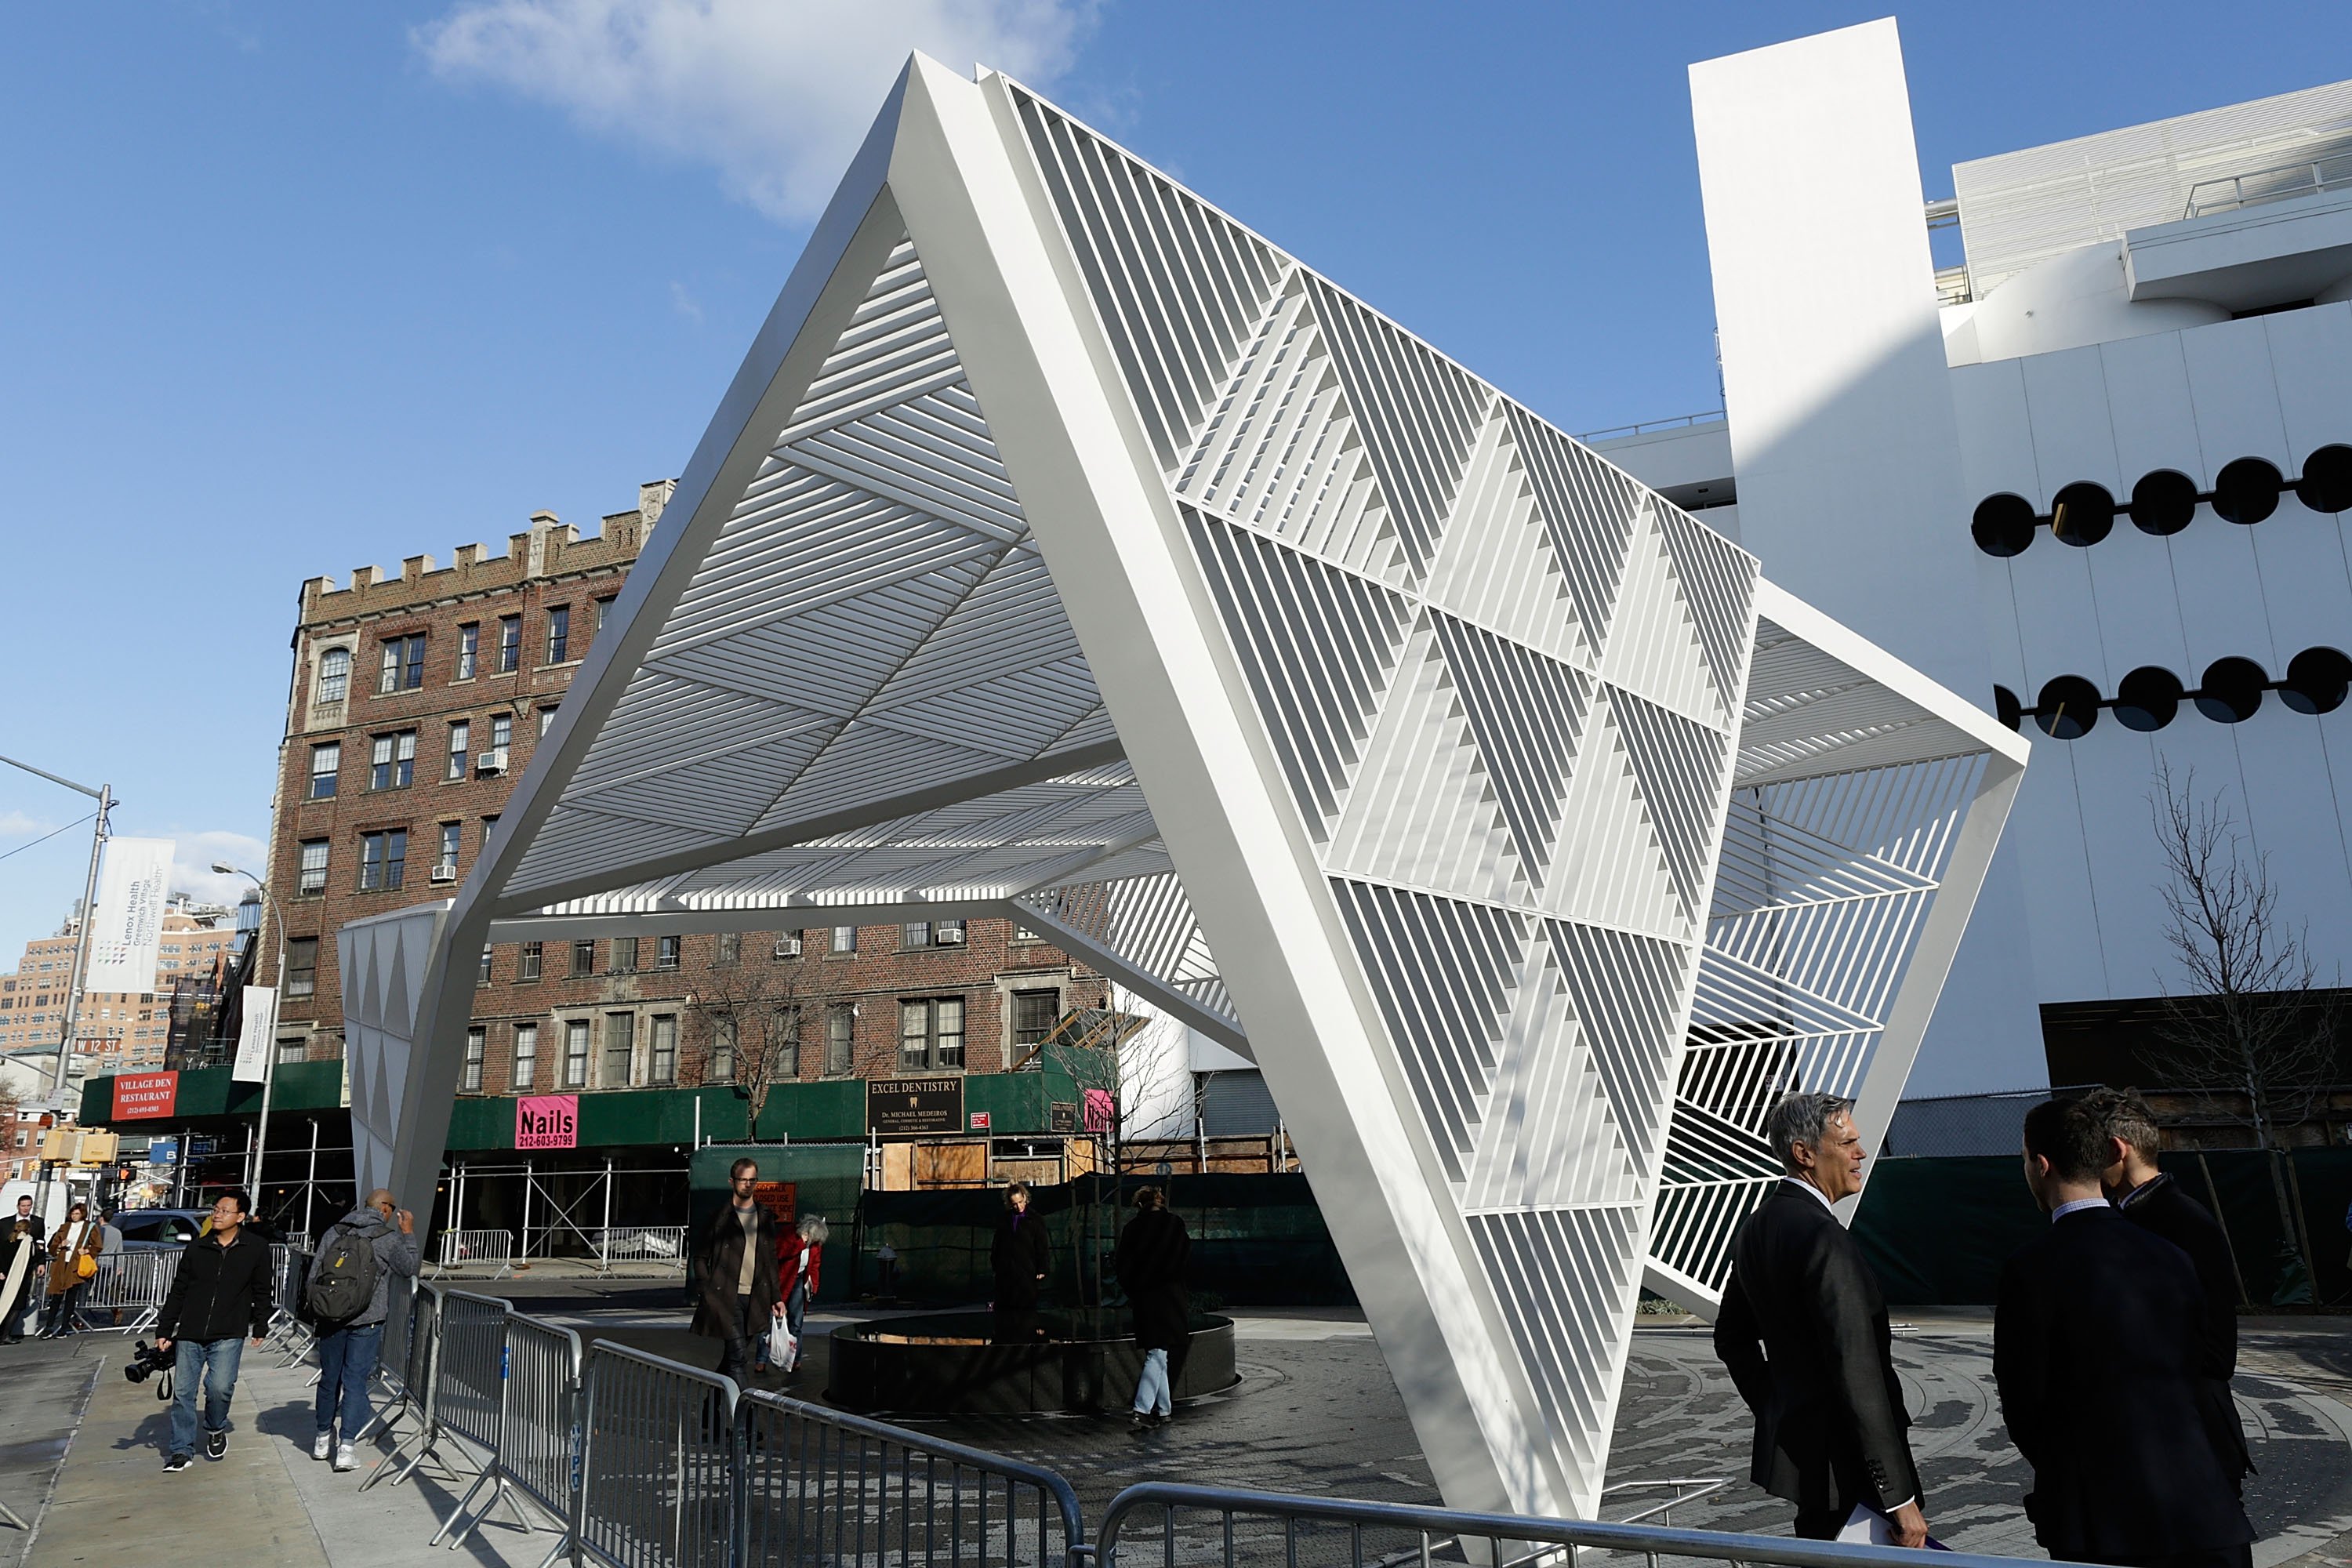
(1071, 554)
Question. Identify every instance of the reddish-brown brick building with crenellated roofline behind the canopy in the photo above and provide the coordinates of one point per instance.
(417, 702)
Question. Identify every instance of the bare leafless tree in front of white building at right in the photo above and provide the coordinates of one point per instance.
(2252, 1026)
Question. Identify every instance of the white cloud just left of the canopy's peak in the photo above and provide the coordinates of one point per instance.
(773, 93)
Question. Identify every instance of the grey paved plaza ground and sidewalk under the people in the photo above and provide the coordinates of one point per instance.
(1316, 1414)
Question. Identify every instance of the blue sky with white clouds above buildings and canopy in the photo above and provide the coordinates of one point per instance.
(293, 290)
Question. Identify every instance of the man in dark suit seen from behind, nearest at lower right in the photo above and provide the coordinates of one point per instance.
(2099, 1346)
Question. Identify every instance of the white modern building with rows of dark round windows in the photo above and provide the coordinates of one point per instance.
(2092, 478)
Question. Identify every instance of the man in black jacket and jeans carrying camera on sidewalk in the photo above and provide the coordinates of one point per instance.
(220, 1296)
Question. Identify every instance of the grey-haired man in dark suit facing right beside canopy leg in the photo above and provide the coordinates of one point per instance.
(1805, 1336)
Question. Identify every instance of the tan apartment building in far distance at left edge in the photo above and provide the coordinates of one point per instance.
(119, 1031)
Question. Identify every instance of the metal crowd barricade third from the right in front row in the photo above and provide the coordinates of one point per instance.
(657, 1475)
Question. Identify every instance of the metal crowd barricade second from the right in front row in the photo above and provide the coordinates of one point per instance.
(822, 1487)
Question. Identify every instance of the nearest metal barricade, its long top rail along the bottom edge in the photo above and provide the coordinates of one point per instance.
(1236, 1529)
